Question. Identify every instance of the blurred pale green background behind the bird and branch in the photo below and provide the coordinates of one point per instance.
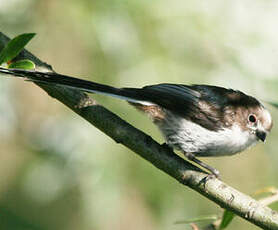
(59, 172)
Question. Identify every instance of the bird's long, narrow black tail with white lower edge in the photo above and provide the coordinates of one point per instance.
(129, 94)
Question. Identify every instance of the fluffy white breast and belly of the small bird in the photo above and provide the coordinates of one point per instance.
(188, 136)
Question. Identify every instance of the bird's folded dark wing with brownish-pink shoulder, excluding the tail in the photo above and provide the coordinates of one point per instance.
(197, 103)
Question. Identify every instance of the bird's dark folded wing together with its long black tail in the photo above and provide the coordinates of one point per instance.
(201, 104)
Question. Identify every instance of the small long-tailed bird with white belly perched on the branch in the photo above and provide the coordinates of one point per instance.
(198, 120)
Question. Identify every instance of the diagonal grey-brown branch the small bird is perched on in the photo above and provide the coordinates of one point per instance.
(161, 157)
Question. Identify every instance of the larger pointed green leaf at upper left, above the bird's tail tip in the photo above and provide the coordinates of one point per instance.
(14, 46)
